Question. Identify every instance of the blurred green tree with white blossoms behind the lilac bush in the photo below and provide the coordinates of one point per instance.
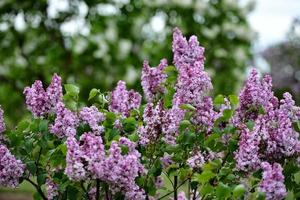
(95, 43)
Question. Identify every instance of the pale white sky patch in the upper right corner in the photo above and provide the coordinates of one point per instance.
(271, 19)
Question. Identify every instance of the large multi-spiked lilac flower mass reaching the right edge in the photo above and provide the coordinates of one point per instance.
(273, 136)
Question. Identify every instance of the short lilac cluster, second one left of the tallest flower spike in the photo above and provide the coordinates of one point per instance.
(123, 101)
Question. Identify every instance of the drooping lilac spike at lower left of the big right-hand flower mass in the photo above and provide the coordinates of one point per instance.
(247, 156)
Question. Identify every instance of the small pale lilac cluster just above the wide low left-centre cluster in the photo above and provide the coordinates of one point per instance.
(93, 117)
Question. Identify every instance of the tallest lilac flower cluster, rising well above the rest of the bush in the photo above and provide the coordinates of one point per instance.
(192, 85)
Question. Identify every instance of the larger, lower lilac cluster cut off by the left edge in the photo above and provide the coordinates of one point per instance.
(11, 169)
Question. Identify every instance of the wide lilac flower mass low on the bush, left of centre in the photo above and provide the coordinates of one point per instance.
(87, 159)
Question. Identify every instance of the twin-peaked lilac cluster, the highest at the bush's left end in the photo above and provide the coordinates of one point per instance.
(41, 102)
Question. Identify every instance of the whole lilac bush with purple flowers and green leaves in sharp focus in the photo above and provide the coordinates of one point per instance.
(177, 143)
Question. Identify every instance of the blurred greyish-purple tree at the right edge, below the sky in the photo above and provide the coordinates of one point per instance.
(284, 59)
